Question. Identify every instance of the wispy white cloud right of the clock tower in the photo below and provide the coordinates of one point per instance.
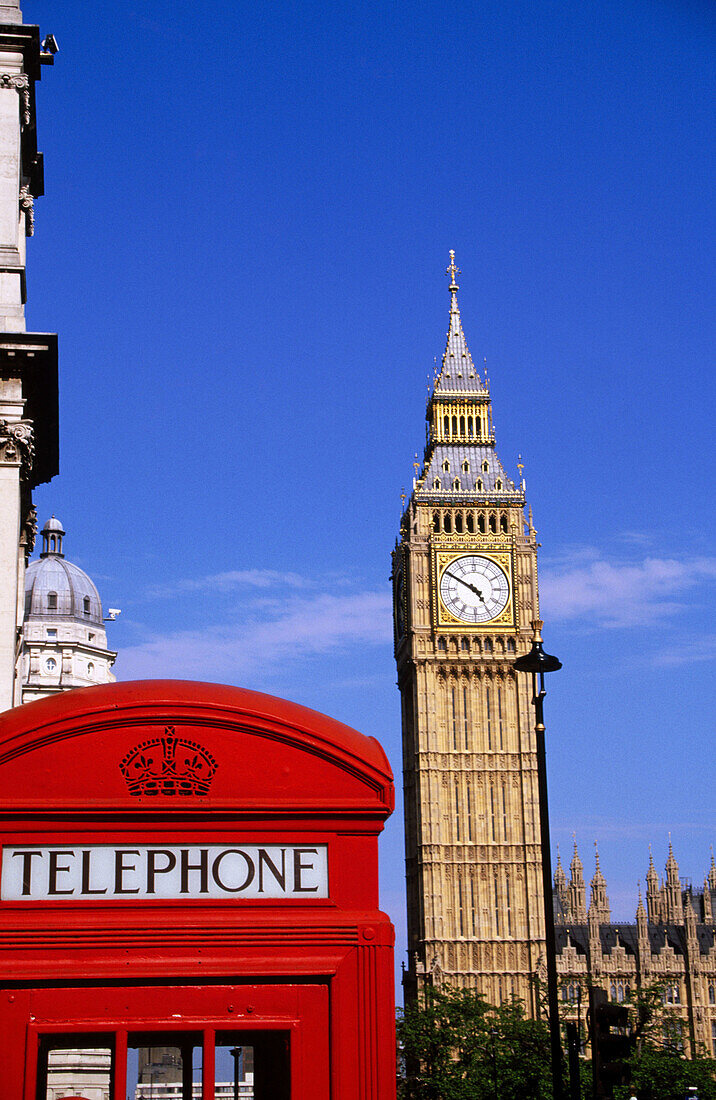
(616, 595)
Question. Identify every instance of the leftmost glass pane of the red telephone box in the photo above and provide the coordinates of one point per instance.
(82, 1073)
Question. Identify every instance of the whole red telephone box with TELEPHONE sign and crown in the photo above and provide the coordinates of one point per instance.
(190, 900)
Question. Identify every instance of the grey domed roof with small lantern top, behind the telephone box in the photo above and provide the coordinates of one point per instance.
(58, 589)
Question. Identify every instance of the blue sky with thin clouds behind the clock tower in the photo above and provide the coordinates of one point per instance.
(243, 247)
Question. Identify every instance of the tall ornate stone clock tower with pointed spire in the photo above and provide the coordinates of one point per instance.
(465, 575)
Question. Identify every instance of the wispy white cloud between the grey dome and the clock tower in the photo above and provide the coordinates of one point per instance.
(288, 631)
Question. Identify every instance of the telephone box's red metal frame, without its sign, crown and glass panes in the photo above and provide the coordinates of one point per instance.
(323, 969)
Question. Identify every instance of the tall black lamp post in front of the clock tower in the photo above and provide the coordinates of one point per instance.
(538, 663)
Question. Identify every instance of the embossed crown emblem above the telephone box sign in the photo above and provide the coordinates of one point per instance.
(169, 765)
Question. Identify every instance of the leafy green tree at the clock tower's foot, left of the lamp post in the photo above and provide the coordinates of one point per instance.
(457, 1047)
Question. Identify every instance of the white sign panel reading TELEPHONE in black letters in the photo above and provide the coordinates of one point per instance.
(103, 873)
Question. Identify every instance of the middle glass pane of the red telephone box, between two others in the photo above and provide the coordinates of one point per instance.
(164, 1066)
